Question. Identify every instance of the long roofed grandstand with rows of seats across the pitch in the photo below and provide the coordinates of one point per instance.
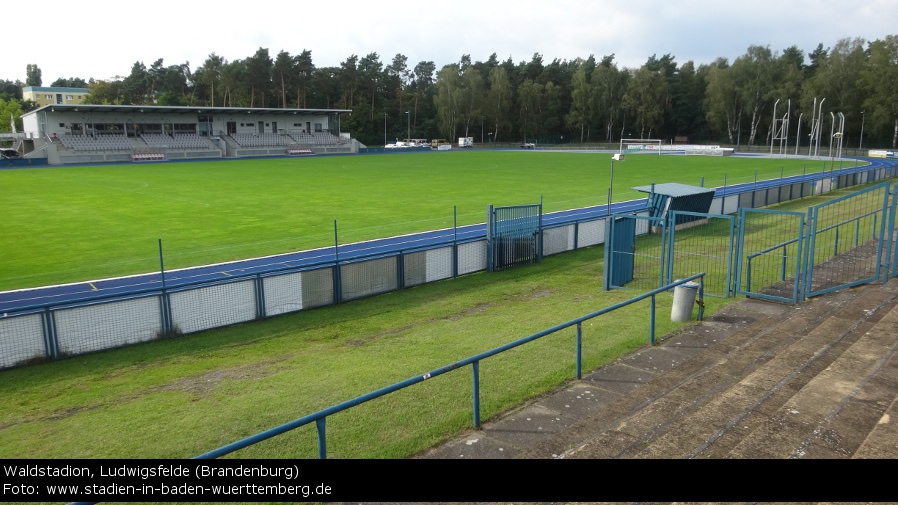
(78, 133)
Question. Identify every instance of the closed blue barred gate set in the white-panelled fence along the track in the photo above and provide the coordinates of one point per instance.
(514, 236)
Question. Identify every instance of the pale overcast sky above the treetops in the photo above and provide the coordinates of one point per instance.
(103, 39)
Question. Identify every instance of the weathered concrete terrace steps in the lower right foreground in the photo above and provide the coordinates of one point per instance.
(757, 380)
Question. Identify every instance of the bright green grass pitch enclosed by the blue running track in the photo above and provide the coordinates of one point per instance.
(78, 223)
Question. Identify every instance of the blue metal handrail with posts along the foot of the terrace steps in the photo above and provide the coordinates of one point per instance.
(320, 417)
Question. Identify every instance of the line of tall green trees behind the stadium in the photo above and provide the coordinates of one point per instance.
(581, 100)
